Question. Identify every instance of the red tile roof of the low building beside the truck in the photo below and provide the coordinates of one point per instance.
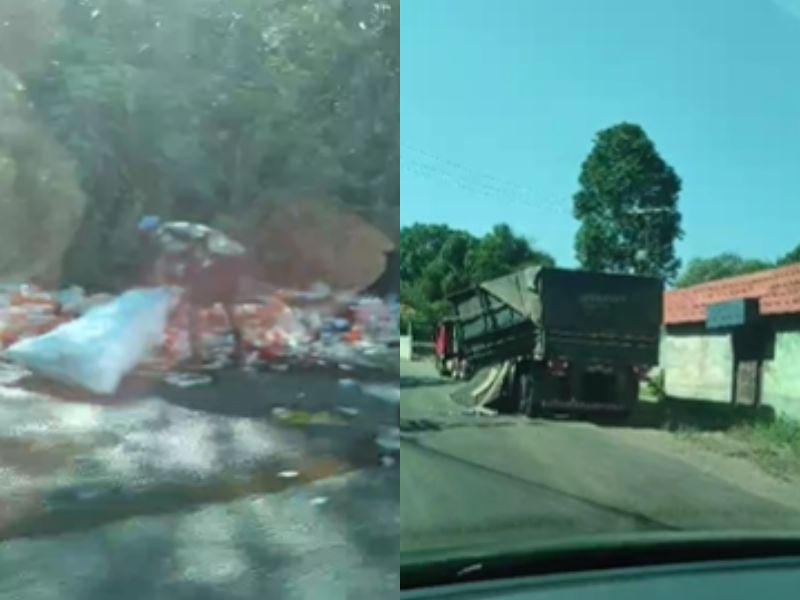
(777, 290)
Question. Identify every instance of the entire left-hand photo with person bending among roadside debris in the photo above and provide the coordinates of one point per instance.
(199, 208)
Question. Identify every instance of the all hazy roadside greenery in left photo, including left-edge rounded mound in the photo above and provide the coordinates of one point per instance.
(217, 111)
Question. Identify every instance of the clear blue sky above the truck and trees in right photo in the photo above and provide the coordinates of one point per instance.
(501, 99)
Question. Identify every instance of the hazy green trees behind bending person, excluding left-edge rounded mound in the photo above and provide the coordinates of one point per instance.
(202, 109)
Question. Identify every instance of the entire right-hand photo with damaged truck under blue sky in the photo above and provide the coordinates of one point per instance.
(600, 299)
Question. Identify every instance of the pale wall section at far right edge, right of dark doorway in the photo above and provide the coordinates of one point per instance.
(781, 376)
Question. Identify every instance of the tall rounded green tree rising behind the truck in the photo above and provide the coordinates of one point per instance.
(627, 206)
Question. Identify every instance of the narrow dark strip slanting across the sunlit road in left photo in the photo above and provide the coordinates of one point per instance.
(85, 507)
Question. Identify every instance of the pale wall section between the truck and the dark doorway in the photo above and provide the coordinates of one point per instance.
(697, 365)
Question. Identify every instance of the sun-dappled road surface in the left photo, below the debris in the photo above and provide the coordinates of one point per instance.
(257, 485)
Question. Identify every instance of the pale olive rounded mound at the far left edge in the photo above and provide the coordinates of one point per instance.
(41, 201)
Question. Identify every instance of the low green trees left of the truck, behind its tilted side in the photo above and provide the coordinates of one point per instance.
(436, 260)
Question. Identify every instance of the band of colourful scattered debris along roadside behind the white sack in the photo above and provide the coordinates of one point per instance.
(281, 331)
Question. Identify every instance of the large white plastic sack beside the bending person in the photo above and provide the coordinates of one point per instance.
(97, 350)
